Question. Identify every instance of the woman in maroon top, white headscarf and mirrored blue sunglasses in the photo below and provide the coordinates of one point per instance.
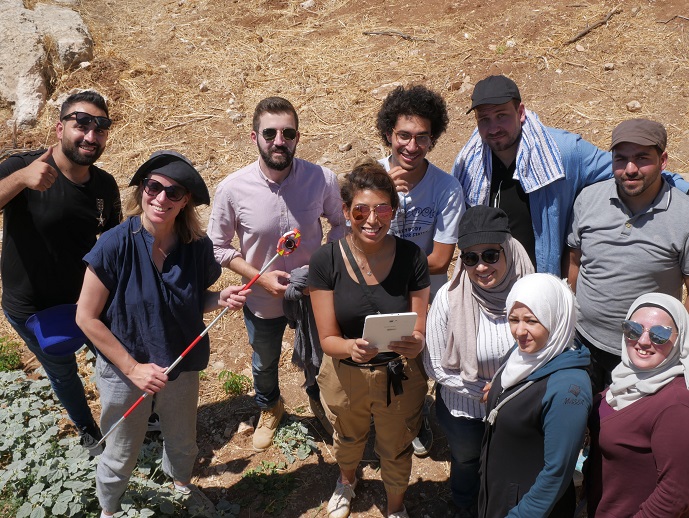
(639, 460)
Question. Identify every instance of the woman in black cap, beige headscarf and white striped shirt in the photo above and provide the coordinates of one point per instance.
(467, 334)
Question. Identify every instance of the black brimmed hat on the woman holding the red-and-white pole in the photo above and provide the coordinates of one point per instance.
(178, 168)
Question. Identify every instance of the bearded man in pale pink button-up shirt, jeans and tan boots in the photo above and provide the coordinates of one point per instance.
(258, 204)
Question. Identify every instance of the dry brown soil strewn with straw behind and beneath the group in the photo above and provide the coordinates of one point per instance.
(152, 59)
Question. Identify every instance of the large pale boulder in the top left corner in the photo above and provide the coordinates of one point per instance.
(24, 63)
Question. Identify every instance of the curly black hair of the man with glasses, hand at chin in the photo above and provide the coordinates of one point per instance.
(413, 100)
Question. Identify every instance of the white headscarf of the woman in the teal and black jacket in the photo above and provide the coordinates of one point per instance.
(552, 302)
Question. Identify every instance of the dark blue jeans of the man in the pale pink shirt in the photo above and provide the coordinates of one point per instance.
(265, 337)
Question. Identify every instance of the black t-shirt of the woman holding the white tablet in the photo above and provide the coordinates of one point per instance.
(409, 272)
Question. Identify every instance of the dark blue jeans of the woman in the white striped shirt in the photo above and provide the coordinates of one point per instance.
(464, 436)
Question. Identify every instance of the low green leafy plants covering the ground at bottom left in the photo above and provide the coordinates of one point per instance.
(44, 474)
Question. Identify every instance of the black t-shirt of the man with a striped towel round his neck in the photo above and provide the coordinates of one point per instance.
(507, 194)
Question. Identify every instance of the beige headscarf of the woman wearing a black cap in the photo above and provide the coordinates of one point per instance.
(466, 301)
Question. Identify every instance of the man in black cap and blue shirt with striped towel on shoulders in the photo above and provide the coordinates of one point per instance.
(531, 171)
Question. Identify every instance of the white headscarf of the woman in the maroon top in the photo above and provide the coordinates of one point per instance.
(629, 383)
